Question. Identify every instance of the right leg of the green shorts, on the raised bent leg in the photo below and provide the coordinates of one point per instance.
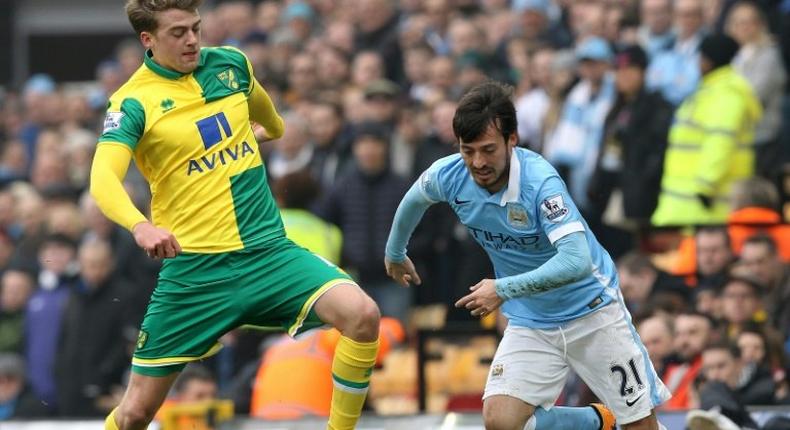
(281, 285)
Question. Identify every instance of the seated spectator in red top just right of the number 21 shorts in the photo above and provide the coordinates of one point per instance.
(692, 333)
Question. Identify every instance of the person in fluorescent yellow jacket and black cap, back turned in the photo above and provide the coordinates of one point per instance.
(710, 142)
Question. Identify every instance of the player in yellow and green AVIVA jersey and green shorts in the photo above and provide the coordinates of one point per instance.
(184, 117)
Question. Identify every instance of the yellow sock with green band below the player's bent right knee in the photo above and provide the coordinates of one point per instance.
(351, 369)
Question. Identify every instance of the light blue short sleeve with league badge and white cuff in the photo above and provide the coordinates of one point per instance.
(557, 213)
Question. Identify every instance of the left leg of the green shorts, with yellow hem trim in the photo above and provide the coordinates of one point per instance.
(191, 307)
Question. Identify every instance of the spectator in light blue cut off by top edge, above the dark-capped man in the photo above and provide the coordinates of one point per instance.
(656, 34)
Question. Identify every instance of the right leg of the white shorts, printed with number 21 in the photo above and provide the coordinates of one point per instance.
(606, 352)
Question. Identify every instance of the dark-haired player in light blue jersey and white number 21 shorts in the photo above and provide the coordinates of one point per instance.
(557, 286)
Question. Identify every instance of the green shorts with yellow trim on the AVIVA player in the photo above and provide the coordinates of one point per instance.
(200, 297)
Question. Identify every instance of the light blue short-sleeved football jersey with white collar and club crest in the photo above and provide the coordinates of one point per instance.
(517, 227)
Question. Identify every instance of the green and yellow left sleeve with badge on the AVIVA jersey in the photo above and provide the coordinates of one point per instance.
(124, 123)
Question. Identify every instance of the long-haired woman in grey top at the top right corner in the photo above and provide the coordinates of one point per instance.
(760, 62)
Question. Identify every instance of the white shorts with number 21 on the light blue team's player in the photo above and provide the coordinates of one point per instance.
(603, 348)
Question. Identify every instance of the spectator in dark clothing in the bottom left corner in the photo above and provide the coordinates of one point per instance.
(17, 401)
